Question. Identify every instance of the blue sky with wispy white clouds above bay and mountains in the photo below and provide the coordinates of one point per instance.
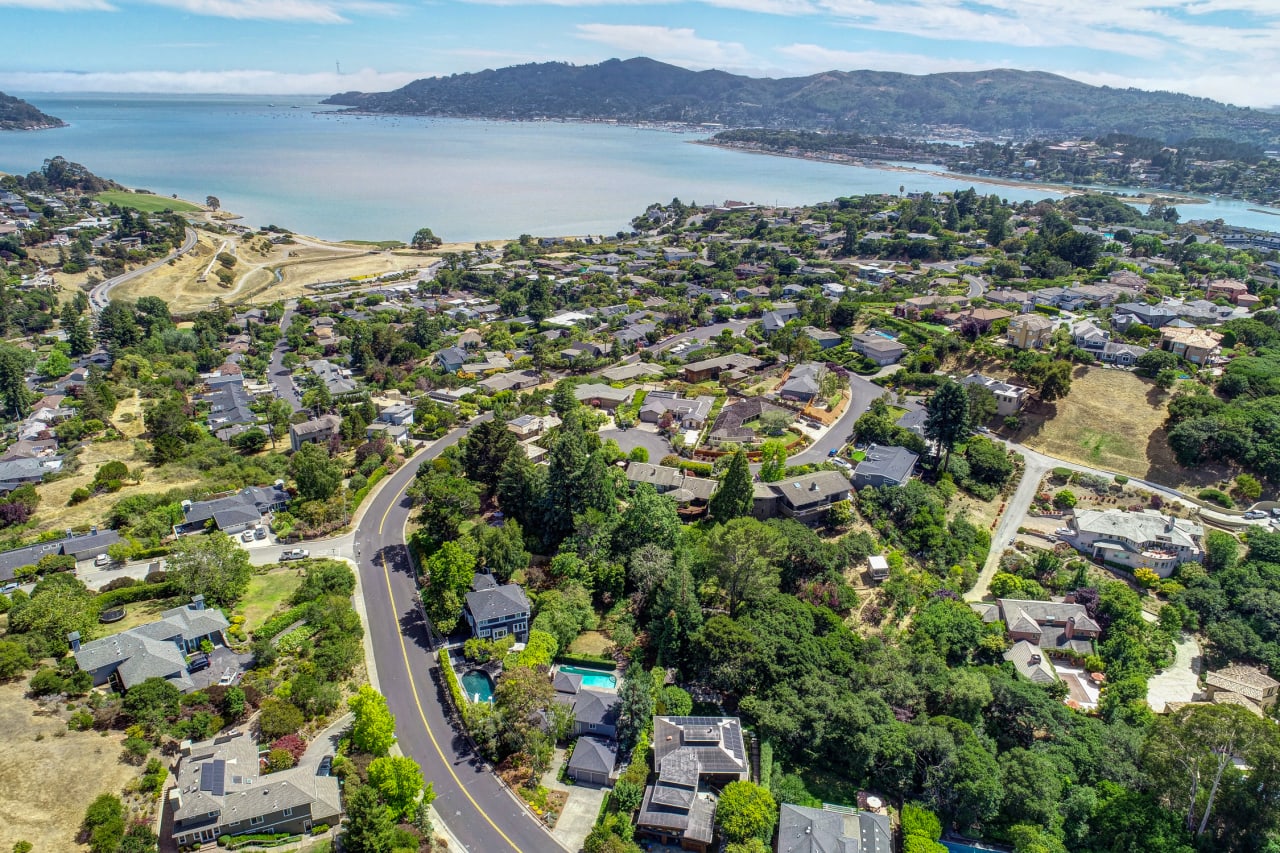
(1220, 49)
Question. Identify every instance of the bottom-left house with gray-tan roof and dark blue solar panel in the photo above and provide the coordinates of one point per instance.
(221, 792)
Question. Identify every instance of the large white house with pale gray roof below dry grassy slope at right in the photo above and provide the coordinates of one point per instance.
(1145, 540)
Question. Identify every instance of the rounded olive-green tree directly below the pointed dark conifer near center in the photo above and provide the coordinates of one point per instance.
(744, 559)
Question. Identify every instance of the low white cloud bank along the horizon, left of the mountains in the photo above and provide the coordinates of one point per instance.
(193, 83)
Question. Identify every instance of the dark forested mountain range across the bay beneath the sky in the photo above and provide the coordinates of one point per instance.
(994, 103)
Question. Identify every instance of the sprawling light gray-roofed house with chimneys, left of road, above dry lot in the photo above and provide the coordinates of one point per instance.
(156, 650)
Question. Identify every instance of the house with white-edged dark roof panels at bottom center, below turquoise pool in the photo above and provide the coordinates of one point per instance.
(689, 756)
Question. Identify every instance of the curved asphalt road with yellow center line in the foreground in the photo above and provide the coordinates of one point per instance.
(483, 815)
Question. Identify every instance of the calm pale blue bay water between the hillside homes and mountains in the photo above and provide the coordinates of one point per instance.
(348, 177)
